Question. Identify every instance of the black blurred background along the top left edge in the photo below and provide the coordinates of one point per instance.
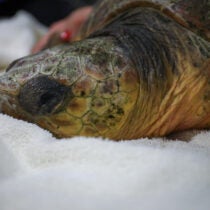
(46, 11)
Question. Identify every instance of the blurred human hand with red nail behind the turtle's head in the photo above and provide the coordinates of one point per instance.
(71, 23)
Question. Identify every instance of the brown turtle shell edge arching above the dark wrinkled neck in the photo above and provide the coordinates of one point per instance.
(192, 14)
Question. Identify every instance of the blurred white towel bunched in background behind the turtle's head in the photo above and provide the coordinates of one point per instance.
(17, 36)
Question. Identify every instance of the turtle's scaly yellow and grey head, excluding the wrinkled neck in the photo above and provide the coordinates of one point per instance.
(70, 89)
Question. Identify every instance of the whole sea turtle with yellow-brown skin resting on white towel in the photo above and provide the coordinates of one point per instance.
(138, 69)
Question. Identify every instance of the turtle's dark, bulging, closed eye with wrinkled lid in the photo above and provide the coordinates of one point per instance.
(42, 95)
